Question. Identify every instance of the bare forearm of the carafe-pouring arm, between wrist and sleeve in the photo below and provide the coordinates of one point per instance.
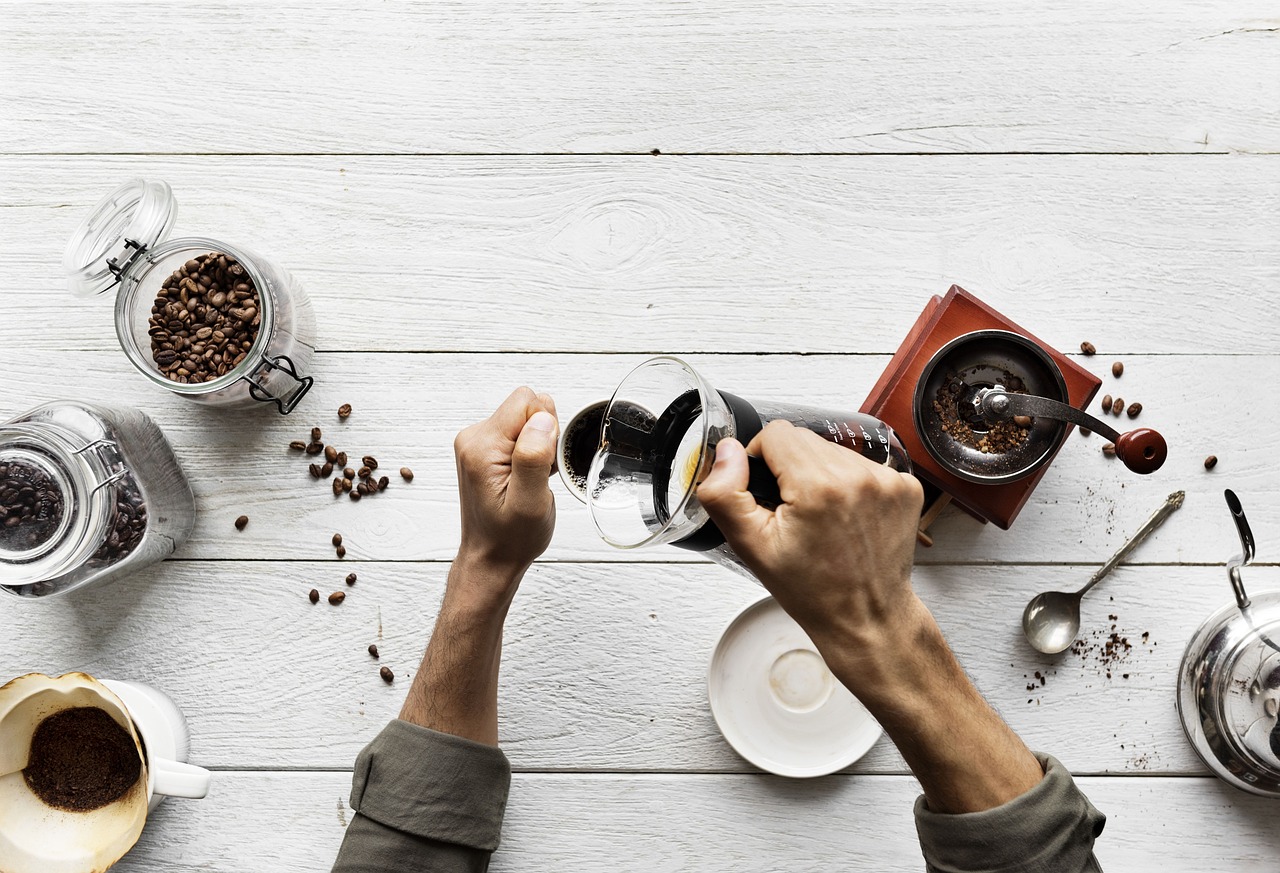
(962, 752)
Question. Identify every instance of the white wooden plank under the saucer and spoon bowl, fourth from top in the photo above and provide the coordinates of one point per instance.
(605, 666)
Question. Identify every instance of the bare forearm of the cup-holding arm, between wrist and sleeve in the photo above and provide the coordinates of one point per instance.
(456, 687)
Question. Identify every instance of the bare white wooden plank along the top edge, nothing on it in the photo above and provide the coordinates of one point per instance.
(931, 76)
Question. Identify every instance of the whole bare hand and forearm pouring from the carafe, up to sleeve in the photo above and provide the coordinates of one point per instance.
(838, 557)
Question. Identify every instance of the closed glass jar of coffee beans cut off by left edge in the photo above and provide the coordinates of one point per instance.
(89, 493)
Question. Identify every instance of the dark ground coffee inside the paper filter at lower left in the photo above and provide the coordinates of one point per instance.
(81, 761)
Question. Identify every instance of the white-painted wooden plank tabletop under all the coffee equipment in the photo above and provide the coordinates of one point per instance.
(469, 195)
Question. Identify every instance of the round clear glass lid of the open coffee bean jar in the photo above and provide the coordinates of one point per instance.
(125, 225)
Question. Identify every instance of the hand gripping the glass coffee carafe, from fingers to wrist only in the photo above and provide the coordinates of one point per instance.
(838, 554)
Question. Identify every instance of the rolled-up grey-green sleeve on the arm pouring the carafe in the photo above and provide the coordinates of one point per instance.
(1048, 830)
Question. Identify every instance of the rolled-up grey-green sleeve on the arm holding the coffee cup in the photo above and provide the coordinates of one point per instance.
(424, 801)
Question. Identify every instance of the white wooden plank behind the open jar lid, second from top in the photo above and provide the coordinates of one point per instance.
(1137, 254)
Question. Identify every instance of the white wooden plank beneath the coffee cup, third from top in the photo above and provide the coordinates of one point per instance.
(409, 409)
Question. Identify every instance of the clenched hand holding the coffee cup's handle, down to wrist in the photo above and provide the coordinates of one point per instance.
(509, 511)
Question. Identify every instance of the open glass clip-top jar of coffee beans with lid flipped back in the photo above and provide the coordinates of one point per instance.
(208, 321)
